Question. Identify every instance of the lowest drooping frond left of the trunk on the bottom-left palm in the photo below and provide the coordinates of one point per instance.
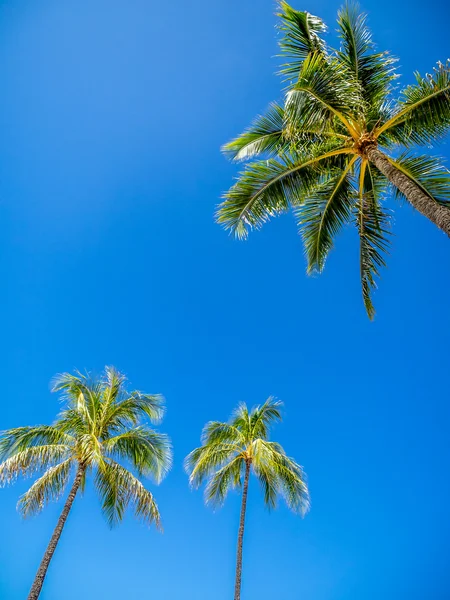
(47, 488)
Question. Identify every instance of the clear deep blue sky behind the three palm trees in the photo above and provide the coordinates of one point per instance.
(111, 118)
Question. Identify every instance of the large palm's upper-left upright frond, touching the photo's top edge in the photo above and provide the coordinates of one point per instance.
(300, 37)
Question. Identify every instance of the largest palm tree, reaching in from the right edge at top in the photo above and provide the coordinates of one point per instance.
(340, 142)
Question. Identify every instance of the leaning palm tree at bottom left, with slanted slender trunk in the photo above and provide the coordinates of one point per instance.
(101, 426)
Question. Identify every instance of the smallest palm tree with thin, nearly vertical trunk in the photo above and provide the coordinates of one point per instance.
(230, 451)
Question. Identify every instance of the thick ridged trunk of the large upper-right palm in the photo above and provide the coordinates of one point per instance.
(438, 214)
